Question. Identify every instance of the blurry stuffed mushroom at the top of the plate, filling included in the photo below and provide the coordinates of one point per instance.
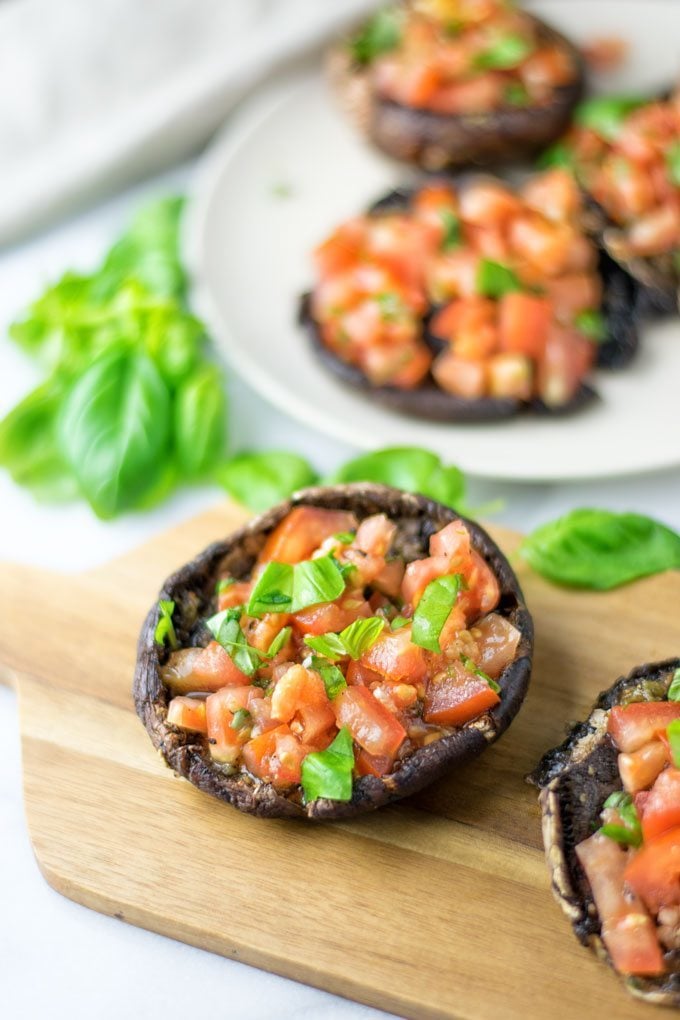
(484, 86)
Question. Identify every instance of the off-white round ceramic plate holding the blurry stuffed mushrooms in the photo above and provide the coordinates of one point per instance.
(292, 169)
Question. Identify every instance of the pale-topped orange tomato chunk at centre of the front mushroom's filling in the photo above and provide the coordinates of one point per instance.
(300, 699)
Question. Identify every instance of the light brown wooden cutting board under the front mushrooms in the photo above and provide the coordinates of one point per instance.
(437, 907)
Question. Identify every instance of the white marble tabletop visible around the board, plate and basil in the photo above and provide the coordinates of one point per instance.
(57, 958)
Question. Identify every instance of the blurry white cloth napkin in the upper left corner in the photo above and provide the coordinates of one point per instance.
(96, 93)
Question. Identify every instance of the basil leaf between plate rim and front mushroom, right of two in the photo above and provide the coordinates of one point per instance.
(410, 469)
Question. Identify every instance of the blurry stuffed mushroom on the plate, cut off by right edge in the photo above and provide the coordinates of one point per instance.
(625, 154)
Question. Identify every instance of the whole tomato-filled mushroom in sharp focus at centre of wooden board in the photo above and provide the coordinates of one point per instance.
(391, 680)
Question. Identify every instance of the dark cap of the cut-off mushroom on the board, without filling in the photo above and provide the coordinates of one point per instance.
(576, 780)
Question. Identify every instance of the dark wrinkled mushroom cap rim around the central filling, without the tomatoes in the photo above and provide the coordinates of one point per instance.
(192, 590)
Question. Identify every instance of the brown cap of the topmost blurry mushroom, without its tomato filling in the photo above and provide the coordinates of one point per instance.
(436, 141)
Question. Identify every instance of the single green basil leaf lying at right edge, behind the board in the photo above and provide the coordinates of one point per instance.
(601, 550)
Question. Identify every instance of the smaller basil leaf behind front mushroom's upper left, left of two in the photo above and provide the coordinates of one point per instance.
(259, 480)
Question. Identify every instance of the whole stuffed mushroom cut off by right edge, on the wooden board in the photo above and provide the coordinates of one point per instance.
(611, 805)
